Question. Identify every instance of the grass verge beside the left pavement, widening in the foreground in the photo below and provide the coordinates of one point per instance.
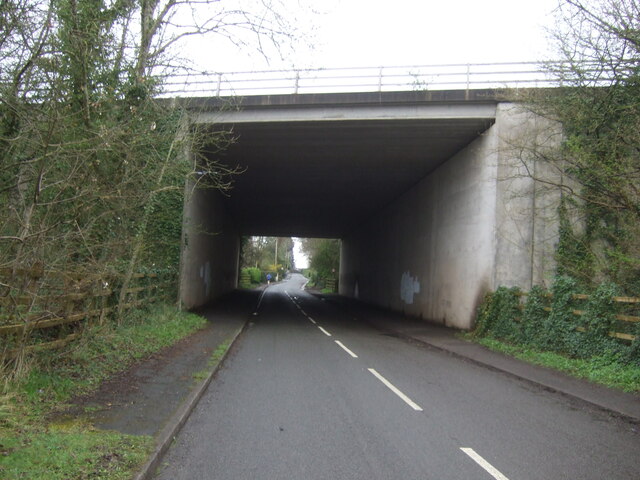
(33, 448)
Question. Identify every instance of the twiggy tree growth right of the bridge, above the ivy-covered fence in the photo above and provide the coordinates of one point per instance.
(598, 106)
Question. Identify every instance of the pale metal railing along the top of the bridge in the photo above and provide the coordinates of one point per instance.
(362, 79)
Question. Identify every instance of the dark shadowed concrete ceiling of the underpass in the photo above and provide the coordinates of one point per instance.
(323, 178)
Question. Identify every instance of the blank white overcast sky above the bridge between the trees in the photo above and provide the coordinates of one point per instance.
(401, 32)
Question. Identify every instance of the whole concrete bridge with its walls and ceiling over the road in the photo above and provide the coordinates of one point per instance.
(427, 191)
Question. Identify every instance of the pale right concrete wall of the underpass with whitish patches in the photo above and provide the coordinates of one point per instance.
(476, 222)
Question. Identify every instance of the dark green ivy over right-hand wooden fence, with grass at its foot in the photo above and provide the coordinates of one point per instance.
(547, 328)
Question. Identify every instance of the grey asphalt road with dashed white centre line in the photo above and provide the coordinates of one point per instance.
(310, 393)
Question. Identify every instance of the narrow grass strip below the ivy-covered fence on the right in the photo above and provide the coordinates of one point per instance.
(604, 370)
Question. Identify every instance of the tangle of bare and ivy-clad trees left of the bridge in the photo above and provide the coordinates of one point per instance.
(88, 158)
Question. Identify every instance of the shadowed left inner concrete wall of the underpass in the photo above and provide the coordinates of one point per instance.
(211, 249)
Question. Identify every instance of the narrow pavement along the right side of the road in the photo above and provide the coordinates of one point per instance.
(445, 339)
